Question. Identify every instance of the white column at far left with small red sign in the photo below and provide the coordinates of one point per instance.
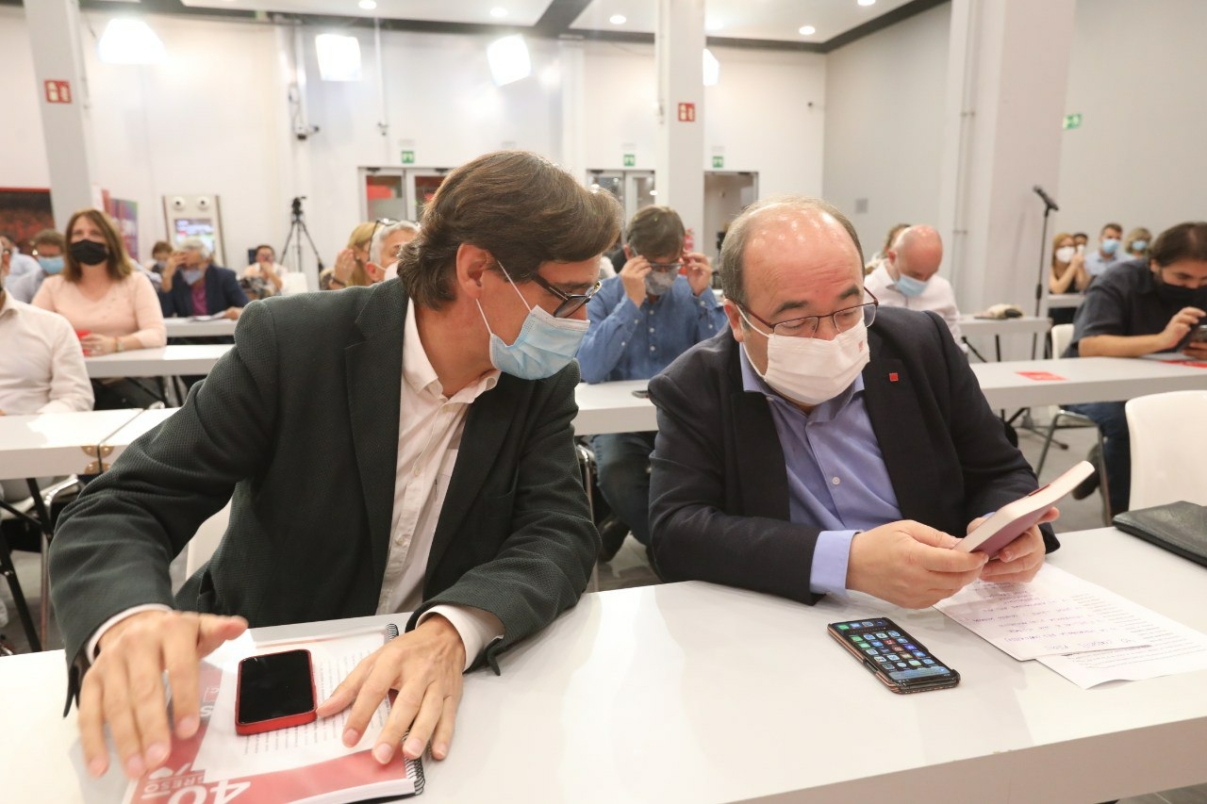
(55, 39)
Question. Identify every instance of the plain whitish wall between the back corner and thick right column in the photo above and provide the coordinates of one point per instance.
(884, 125)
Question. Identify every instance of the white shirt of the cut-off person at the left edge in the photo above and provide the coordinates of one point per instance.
(42, 363)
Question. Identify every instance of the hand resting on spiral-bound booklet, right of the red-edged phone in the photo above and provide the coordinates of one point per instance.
(425, 667)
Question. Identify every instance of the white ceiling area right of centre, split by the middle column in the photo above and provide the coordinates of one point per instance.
(775, 20)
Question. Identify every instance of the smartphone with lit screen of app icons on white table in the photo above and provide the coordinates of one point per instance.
(897, 660)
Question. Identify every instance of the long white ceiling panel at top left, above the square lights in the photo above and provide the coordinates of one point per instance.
(520, 13)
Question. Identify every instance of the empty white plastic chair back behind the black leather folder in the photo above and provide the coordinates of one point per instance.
(1169, 441)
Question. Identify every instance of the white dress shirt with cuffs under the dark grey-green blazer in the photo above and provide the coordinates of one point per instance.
(430, 428)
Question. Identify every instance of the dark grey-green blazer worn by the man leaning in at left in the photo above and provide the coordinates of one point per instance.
(301, 423)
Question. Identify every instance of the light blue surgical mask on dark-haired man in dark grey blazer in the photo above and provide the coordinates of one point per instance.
(544, 347)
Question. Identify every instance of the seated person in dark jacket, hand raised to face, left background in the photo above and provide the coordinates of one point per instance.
(195, 287)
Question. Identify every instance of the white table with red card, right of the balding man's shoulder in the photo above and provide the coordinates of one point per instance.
(1087, 380)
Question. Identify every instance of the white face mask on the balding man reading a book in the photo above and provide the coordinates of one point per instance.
(812, 371)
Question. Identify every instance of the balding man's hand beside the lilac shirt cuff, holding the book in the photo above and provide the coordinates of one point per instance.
(911, 564)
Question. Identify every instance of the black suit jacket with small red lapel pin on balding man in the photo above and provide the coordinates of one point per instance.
(719, 496)
